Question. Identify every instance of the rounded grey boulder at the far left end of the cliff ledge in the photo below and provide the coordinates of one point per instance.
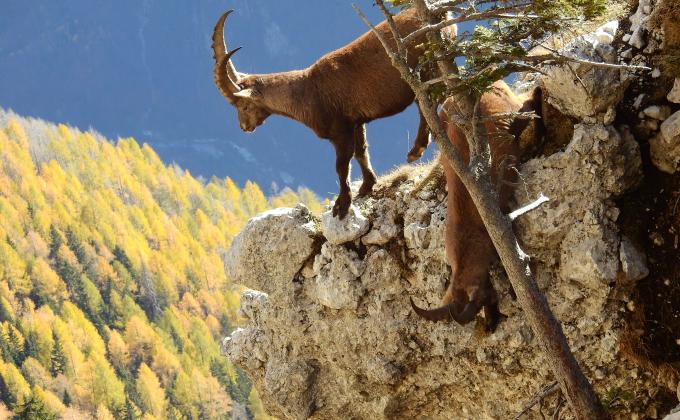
(280, 241)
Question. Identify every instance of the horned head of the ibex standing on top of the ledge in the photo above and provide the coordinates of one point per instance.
(241, 90)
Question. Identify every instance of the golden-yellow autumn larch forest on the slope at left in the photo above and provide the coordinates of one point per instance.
(113, 297)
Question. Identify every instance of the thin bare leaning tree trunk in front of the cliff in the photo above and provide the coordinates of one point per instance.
(549, 334)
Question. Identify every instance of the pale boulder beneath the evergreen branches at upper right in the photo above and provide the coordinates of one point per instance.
(595, 90)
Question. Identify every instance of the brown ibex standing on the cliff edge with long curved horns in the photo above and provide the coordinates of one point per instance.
(334, 97)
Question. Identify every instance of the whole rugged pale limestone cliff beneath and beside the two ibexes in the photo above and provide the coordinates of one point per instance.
(329, 331)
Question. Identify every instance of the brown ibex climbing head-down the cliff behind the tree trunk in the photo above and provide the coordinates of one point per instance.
(469, 249)
